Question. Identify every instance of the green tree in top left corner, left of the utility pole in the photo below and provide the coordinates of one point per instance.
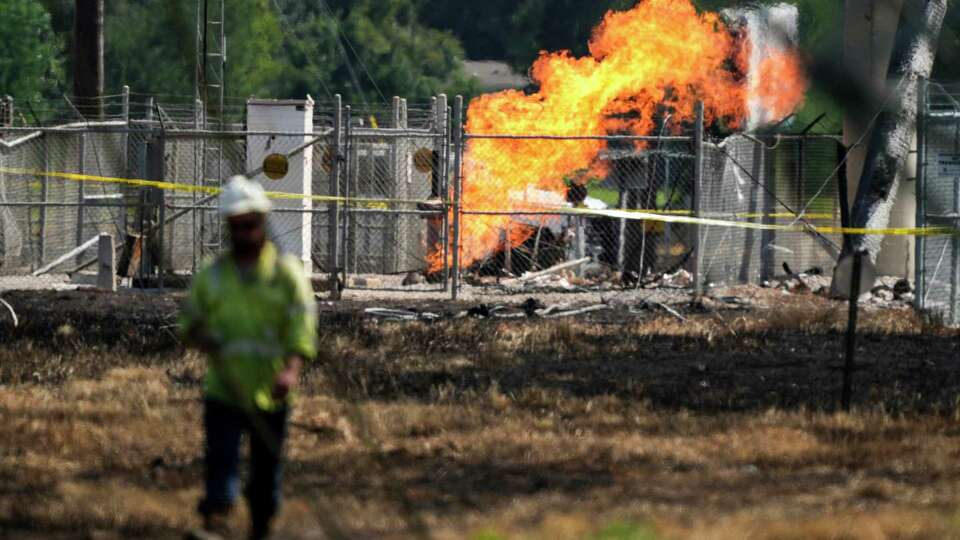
(30, 58)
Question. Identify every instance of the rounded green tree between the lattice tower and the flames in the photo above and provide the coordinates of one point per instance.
(367, 51)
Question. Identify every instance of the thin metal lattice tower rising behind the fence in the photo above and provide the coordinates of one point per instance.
(209, 97)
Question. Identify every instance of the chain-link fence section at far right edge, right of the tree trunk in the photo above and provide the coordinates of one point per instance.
(938, 200)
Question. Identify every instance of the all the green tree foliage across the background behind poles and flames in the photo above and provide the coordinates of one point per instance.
(367, 50)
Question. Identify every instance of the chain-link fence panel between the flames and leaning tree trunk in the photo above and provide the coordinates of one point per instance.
(769, 181)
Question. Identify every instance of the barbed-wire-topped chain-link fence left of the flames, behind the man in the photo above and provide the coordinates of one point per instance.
(366, 203)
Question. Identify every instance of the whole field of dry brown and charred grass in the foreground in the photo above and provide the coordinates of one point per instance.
(625, 423)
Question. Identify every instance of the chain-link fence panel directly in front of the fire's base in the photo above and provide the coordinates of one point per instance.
(523, 223)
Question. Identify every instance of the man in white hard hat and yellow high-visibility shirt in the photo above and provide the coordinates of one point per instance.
(252, 311)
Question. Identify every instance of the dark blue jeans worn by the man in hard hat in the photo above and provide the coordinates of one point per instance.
(224, 425)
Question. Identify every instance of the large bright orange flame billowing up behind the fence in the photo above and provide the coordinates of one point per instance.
(658, 58)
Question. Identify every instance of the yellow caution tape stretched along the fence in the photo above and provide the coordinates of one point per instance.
(684, 217)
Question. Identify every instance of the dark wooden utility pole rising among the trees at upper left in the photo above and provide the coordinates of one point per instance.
(88, 57)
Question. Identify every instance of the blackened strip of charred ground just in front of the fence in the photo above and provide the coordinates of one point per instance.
(736, 349)
